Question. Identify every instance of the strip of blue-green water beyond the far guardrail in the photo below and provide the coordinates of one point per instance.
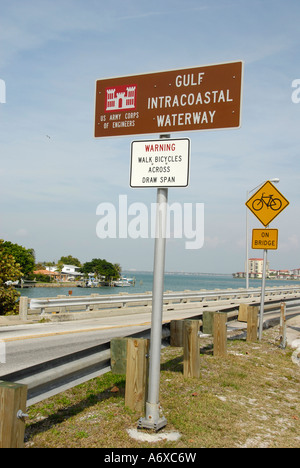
(173, 282)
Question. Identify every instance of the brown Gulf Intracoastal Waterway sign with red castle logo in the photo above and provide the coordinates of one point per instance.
(201, 98)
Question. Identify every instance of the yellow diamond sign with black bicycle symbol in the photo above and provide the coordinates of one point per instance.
(267, 203)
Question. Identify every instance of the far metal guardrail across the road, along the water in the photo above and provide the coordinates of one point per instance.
(132, 299)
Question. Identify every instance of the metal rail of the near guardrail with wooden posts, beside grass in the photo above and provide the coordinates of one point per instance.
(57, 375)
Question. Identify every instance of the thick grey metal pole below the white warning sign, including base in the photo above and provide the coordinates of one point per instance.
(153, 418)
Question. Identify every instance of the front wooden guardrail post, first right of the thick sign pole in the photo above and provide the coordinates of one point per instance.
(191, 349)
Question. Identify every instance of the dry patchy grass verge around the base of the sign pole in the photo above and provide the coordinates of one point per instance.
(249, 399)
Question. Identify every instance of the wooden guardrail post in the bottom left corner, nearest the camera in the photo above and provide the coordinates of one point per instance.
(13, 398)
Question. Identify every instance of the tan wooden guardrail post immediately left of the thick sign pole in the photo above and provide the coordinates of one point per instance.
(137, 374)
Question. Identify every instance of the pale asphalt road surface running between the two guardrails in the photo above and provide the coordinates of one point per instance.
(25, 345)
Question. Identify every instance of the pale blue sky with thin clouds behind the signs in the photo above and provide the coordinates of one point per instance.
(51, 54)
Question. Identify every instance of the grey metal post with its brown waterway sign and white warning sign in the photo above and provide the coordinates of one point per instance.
(190, 99)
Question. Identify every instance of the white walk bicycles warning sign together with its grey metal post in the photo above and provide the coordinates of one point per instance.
(149, 157)
